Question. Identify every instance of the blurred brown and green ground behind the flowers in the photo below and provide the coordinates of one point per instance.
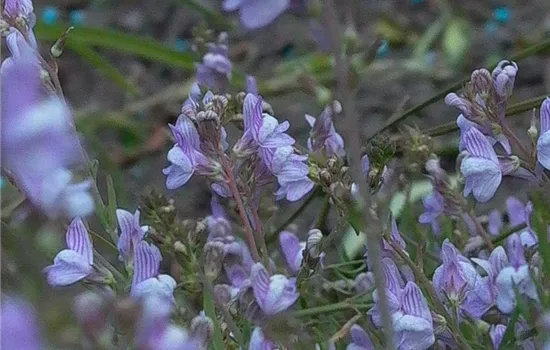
(128, 66)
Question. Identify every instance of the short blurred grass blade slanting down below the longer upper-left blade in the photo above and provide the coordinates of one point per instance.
(104, 66)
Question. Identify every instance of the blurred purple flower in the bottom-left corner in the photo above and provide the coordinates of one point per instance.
(18, 326)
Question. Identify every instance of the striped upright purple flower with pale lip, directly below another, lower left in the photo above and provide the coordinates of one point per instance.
(147, 281)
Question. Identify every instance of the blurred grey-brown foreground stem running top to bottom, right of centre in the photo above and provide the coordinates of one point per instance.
(353, 149)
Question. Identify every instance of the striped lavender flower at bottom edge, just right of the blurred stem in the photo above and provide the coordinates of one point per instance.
(411, 316)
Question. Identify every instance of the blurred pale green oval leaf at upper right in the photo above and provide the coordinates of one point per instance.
(457, 40)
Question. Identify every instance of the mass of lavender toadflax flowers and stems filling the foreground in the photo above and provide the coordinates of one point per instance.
(449, 275)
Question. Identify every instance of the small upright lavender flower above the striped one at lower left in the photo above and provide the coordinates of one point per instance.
(131, 233)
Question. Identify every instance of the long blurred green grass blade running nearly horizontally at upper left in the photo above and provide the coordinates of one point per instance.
(111, 39)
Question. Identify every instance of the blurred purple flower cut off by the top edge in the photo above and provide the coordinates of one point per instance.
(257, 13)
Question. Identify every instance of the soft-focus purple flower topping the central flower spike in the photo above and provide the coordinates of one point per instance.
(215, 70)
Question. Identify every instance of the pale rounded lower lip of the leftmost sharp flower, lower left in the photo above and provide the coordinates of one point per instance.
(68, 267)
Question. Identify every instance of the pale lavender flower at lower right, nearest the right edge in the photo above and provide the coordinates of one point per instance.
(515, 276)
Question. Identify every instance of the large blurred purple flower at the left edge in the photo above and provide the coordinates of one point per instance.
(38, 151)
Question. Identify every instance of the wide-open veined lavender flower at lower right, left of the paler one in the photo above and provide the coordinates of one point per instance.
(457, 283)
